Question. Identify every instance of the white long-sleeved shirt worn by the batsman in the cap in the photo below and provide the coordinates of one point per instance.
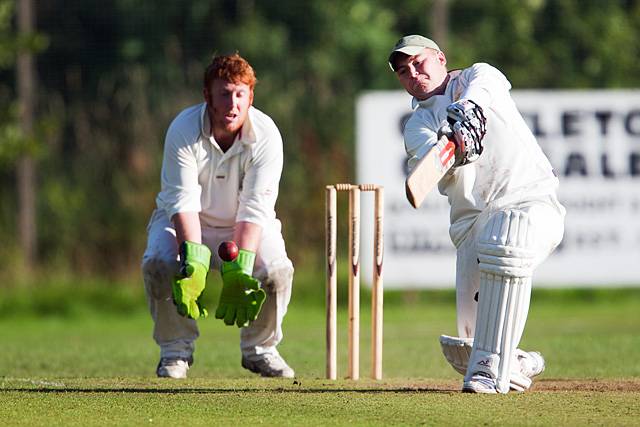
(511, 169)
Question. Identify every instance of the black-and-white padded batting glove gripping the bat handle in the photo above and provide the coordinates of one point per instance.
(467, 127)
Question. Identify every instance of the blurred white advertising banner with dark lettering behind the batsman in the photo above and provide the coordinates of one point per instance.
(592, 139)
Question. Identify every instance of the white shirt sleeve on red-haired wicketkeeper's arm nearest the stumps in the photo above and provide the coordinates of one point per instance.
(262, 177)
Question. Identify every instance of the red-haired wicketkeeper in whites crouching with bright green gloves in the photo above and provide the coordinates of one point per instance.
(221, 169)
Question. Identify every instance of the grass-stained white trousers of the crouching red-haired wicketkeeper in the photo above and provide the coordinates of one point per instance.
(175, 334)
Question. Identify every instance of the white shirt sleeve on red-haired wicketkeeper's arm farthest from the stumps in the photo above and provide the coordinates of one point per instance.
(180, 190)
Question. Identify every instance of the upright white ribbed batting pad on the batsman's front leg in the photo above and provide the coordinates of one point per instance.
(506, 255)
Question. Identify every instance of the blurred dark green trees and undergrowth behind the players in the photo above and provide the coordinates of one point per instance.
(110, 76)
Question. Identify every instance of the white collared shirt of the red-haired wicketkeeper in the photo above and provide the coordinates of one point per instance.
(240, 184)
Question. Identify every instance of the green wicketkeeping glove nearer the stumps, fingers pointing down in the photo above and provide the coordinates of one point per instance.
(241, 298)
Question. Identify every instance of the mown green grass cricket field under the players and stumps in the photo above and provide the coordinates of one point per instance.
(94, 365)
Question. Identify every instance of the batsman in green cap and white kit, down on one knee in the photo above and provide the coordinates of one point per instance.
(505, 215)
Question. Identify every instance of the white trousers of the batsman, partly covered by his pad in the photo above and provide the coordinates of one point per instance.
(546, 213)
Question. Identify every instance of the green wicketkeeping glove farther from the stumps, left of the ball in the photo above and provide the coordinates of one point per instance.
(190, 281)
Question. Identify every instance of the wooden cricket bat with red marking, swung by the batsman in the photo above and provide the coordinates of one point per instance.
(430, 170)
